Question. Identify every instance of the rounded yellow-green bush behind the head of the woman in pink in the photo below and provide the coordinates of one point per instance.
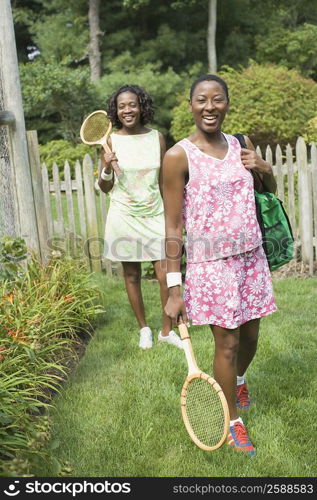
(271, 104)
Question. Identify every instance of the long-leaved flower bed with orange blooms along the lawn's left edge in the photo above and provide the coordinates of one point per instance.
(42, 316)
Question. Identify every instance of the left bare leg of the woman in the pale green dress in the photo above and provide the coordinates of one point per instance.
(132, 278)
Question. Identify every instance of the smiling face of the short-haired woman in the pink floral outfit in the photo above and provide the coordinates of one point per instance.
(209, 105)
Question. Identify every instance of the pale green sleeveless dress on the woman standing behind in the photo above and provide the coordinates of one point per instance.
(135, 227)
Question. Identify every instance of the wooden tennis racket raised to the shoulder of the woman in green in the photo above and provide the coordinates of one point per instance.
(95, 130)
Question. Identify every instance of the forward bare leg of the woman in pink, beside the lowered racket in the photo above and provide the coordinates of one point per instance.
(225, 364)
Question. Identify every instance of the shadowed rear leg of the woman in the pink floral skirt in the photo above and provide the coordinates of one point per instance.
(249, 334)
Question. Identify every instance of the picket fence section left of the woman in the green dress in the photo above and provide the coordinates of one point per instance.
(83, 196)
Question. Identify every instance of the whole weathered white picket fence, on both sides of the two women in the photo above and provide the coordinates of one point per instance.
(296, 176)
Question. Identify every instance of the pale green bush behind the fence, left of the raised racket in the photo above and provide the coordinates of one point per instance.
(56, 98)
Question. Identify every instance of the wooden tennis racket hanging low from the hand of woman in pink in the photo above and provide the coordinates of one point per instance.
(204, 406)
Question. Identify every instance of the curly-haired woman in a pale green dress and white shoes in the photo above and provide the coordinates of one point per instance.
(135, 227)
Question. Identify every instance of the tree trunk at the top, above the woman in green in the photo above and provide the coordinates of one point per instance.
(94, 38)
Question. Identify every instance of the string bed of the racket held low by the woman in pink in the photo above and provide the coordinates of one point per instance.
(205, 412)
